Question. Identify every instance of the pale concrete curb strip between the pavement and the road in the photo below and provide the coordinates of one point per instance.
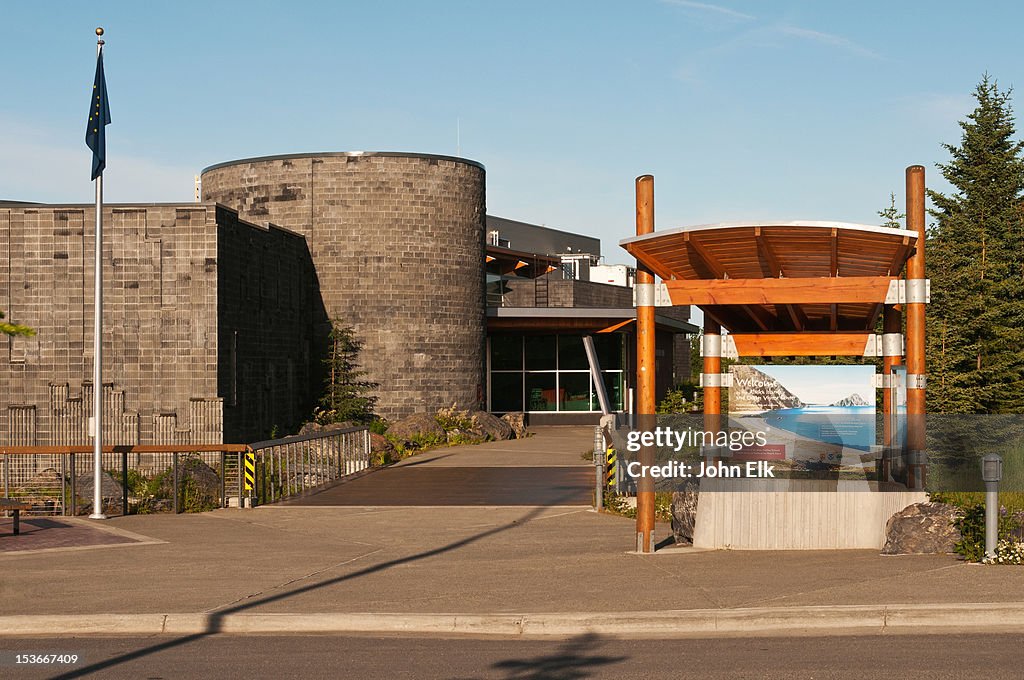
(697, 623)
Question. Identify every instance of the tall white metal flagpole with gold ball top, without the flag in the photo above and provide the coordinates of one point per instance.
(98, 343)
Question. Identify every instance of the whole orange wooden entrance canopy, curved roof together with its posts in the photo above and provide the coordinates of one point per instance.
(787, 289)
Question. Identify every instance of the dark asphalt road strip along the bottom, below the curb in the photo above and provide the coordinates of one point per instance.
(862, 658)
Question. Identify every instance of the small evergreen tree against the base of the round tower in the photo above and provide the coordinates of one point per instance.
(347, 397)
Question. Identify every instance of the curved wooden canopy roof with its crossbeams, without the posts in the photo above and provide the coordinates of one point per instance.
(782, 288)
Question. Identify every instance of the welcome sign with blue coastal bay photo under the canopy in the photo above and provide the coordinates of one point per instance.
(817, 412)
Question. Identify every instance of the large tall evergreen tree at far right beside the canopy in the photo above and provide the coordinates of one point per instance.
(976, 264)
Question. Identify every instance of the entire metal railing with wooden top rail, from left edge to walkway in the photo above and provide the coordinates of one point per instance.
(58, 481)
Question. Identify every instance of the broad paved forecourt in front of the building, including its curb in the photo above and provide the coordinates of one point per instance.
(482, 570)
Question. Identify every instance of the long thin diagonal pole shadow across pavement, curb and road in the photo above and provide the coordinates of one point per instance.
(217, 618)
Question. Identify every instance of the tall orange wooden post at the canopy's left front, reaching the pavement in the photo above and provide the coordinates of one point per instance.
(646, 366)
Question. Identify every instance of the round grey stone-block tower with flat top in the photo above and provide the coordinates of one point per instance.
(398, 244)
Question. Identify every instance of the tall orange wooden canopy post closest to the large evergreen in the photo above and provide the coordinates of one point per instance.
(916, 297)
